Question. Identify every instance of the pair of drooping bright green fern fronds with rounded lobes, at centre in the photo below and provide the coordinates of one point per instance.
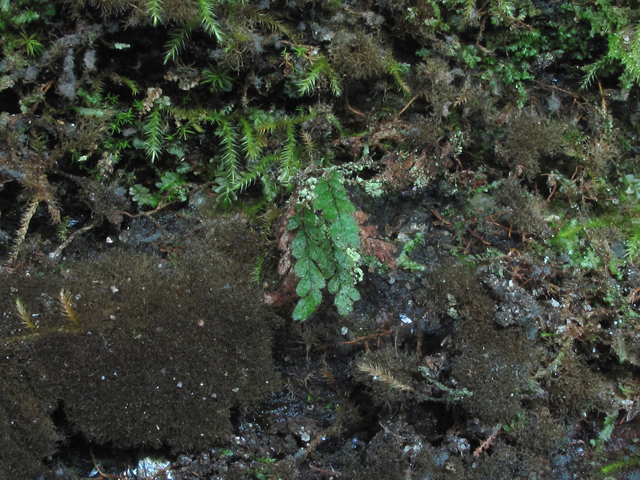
(325, 246)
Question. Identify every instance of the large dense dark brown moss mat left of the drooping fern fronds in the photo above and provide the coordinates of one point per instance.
(164, 351)
